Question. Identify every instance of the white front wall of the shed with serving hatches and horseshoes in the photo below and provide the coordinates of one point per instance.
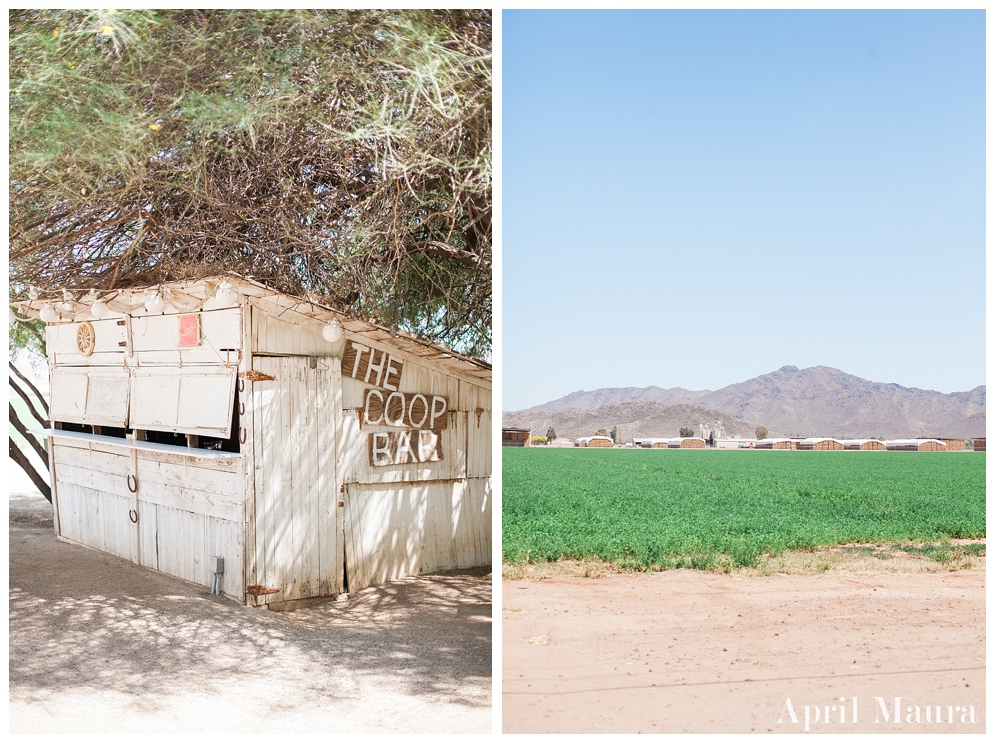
(189, 503)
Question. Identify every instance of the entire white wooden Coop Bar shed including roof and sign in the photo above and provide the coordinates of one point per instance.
(314, 452)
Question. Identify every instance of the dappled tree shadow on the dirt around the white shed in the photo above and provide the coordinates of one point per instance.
(84, 618)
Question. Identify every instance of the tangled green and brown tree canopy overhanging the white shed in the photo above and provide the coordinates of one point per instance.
(339, 155)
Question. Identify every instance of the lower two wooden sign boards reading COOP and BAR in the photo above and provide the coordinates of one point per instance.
(422, 416)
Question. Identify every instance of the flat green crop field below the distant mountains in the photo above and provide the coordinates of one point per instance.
(705, 509)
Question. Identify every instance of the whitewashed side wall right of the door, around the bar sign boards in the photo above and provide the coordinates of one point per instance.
(419, 517)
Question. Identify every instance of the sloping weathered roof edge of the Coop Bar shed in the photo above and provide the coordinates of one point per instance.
(192, 295)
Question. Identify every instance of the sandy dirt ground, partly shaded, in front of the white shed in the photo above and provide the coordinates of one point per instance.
(98, 644)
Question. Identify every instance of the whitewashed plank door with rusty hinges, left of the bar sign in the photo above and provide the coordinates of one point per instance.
(298, 529)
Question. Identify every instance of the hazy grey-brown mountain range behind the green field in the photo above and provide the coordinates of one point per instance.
(818, 401)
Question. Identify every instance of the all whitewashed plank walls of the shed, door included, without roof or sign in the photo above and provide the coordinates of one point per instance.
(302, 499)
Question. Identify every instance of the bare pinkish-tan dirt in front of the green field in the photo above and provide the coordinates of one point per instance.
(686, 651)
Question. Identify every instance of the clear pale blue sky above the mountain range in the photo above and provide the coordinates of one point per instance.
(691, 199)
